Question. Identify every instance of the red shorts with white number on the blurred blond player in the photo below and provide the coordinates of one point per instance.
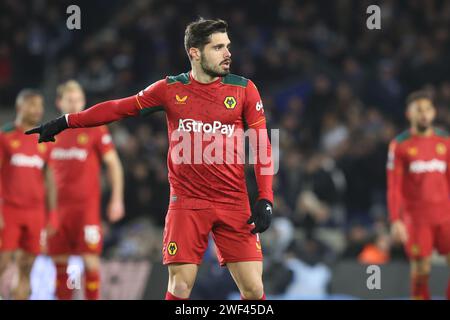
(79, 230)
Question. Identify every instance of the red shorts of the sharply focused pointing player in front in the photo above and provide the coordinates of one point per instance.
(187, 231)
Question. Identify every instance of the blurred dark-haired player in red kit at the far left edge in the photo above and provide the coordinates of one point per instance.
(27, 191)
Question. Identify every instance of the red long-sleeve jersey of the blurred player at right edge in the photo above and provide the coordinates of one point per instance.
(419, 177)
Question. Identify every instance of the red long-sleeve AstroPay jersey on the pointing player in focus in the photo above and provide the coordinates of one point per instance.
(201, 120)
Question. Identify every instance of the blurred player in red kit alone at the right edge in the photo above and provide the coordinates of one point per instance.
(418, 191)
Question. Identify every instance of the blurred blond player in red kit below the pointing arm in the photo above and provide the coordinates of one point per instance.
(76, 157)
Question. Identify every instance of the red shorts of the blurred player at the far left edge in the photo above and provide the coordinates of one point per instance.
(23, 229)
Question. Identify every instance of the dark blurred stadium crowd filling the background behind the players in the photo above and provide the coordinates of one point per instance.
(334, 88)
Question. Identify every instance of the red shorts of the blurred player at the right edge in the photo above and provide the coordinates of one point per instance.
(423, 238)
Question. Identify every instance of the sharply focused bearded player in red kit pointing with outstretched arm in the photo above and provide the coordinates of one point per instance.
(207, 196)
